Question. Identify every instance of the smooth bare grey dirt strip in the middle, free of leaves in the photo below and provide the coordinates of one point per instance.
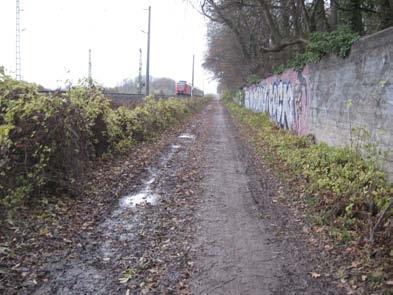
(237, 257)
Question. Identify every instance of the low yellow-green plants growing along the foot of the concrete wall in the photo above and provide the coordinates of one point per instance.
(348, 191)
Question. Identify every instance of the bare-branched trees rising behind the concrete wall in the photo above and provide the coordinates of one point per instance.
(249, 38)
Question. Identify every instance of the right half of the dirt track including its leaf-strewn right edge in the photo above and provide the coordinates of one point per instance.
(247, 243)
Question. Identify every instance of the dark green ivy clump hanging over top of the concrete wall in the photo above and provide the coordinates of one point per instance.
(338, 42)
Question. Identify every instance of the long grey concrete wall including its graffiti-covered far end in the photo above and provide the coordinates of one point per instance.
(336, 98)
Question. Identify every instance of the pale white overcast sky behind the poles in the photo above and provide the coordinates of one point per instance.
(57, 35)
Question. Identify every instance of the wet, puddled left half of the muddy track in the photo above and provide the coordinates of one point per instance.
(143, 245)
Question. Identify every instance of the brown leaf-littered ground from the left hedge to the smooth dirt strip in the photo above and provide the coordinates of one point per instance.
(78, 245)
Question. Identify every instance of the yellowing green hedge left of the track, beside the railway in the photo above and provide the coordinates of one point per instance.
(47, 142)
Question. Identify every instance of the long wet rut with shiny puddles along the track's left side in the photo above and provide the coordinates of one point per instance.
(117, 230)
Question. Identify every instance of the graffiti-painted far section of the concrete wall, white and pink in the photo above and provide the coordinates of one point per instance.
(284, 98)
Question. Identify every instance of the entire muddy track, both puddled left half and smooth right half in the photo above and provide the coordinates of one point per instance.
(198, 219)
